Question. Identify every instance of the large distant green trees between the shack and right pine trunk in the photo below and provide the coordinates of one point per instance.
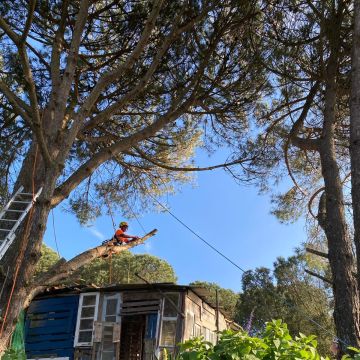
(289, 294)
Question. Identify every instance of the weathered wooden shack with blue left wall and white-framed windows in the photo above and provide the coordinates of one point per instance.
(120, 322)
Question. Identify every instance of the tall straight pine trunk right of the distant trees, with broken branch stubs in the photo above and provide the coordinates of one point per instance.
(332, 217)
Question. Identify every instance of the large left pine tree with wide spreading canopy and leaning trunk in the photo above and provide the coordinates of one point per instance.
(106, 102)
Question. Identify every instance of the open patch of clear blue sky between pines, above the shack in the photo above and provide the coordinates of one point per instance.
(233, 218)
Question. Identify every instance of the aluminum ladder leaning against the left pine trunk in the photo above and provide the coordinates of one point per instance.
(12, 215)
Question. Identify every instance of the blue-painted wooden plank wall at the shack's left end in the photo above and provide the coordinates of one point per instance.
(50, 327)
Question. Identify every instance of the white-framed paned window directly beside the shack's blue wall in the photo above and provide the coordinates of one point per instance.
(87, 314)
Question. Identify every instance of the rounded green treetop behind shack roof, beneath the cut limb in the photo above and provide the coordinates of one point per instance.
(123, 269)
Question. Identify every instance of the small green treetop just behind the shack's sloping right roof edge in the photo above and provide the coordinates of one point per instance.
(227, 297)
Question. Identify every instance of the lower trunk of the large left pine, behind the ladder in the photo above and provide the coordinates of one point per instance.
(26, 250)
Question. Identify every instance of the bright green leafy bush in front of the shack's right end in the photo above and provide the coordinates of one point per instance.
(275, 343)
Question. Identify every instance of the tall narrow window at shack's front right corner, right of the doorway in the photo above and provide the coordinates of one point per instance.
(169, 320)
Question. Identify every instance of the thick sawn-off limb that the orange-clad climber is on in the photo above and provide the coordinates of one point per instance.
(63, 269)
